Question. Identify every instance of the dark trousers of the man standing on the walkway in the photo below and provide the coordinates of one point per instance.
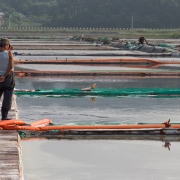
(7, 87)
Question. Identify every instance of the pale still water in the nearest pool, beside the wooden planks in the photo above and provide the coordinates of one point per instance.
(100, 159)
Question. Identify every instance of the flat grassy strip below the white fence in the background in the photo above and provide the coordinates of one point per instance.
(90, 35)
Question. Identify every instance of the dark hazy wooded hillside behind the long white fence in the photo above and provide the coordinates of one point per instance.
(92, 13)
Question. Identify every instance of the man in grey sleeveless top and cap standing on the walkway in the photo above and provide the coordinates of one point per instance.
(7, 79)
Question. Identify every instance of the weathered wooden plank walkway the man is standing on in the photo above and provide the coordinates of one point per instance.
(10, 151)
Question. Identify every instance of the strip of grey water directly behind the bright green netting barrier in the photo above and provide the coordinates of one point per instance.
(102, 82)
